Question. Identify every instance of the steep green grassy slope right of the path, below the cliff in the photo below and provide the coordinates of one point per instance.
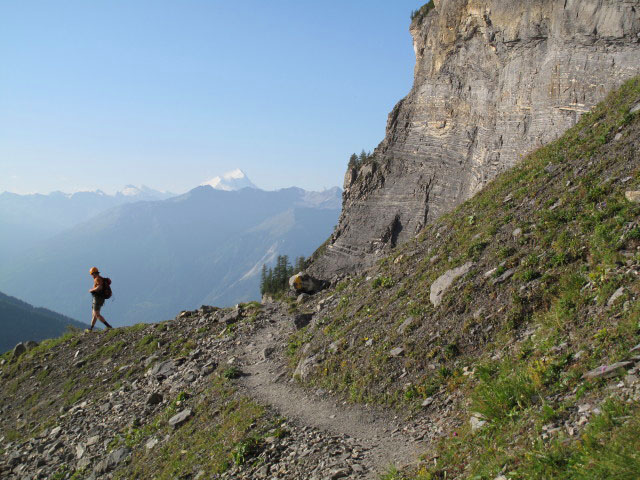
(528, 339)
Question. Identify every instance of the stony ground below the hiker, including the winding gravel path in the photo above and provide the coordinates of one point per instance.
(117, 404)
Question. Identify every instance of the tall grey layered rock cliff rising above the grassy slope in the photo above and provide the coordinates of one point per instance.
(494, 80)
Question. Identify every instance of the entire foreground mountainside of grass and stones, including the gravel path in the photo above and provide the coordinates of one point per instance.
(503, 342)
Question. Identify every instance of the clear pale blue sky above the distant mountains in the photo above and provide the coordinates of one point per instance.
(168, 94)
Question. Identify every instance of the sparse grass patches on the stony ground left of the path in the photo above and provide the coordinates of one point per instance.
(225, 428)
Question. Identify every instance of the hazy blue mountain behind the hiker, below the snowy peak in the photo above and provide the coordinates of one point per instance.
(204, 247)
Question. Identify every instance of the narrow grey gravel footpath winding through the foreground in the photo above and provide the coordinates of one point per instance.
(380, 433)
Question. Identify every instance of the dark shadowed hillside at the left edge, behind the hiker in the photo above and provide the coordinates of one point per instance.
(20, 322)
